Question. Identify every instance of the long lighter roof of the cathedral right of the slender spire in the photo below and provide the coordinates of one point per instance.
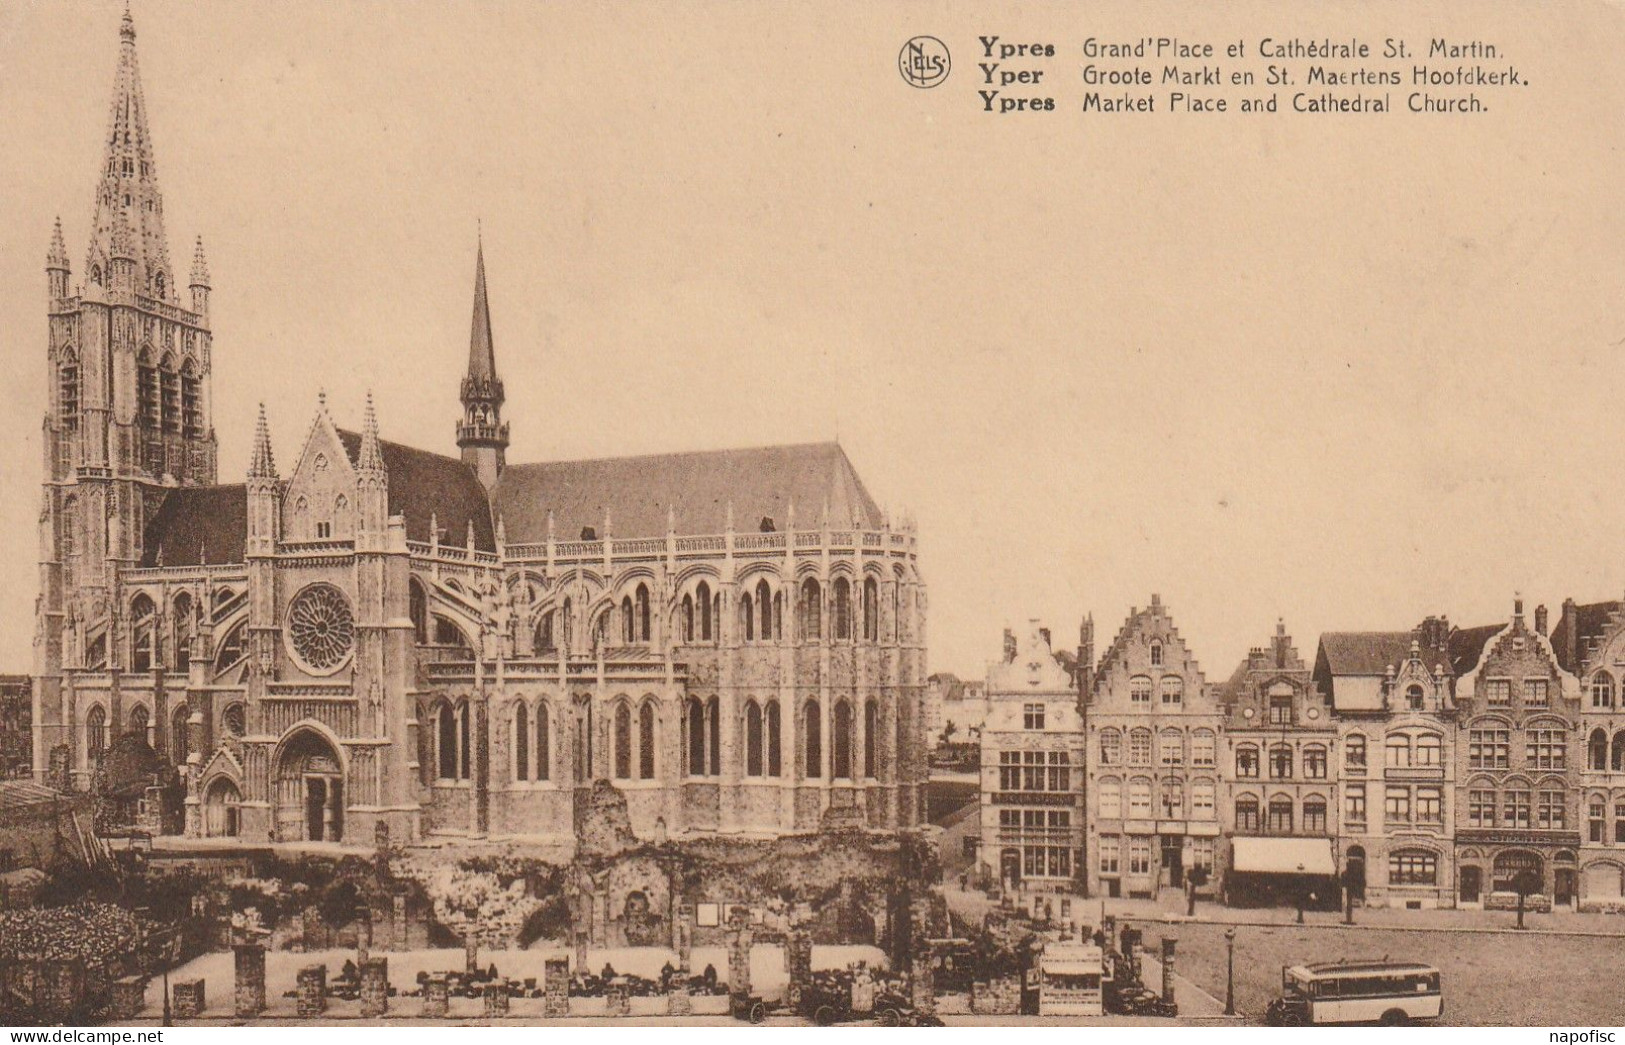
(698, 488)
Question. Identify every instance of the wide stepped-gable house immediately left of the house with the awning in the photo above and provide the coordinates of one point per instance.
(1153, 734)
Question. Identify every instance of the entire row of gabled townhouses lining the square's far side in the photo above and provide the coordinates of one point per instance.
(1429, 768)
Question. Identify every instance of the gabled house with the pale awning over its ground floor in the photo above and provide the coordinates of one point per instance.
(1278, 779)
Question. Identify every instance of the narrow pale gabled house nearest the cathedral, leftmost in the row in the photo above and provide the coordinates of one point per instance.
(1033, 768)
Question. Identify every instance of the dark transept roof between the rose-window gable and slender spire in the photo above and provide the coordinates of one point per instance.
(427, 485)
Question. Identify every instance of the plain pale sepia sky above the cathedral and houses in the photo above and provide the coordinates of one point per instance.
(1348, 371)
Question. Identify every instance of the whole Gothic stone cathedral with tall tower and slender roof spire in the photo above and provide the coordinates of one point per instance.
(386, 643)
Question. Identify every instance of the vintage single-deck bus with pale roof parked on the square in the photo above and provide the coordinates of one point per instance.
(1358, 992)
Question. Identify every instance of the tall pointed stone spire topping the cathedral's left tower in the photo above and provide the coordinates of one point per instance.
(129, 209)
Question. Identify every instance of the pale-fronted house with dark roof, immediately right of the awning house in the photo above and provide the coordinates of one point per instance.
(1392, 696)
